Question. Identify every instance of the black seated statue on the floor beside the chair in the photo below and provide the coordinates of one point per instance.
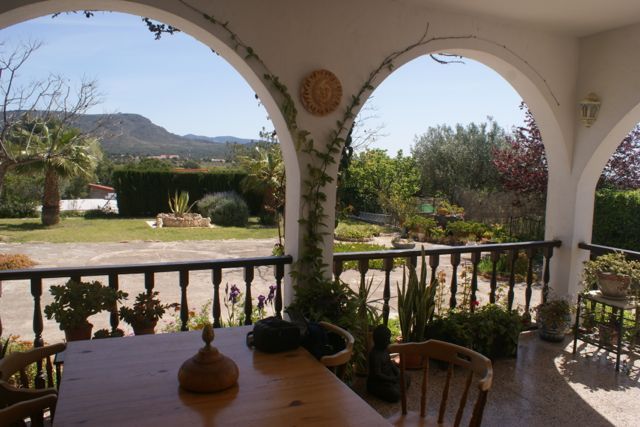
(384, 376)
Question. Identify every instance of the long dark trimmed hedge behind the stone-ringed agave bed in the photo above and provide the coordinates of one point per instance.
(146, 193)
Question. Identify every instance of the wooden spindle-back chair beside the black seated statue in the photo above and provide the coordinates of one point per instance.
(475, 364)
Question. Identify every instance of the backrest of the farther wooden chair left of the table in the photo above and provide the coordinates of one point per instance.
(18, 362)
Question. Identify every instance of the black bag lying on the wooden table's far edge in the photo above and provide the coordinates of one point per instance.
(273, 335)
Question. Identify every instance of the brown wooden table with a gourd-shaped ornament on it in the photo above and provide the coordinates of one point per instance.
(133, 381)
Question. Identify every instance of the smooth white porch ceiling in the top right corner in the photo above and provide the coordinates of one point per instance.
(574, 17)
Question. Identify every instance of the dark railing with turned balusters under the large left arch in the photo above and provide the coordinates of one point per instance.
(113, 272)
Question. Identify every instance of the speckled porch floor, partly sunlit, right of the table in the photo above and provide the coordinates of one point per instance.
(547, 386)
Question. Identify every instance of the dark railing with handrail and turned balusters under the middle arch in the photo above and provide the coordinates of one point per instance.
(455, 254)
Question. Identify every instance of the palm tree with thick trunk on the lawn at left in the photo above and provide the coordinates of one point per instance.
(64, 152)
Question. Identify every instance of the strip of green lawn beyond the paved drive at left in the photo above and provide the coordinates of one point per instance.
(118, 230)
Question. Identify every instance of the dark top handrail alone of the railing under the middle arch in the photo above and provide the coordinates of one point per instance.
(398, 253)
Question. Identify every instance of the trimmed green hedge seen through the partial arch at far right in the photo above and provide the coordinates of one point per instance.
(616, 219)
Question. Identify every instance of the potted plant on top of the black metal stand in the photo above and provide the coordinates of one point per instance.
(613, 274)
